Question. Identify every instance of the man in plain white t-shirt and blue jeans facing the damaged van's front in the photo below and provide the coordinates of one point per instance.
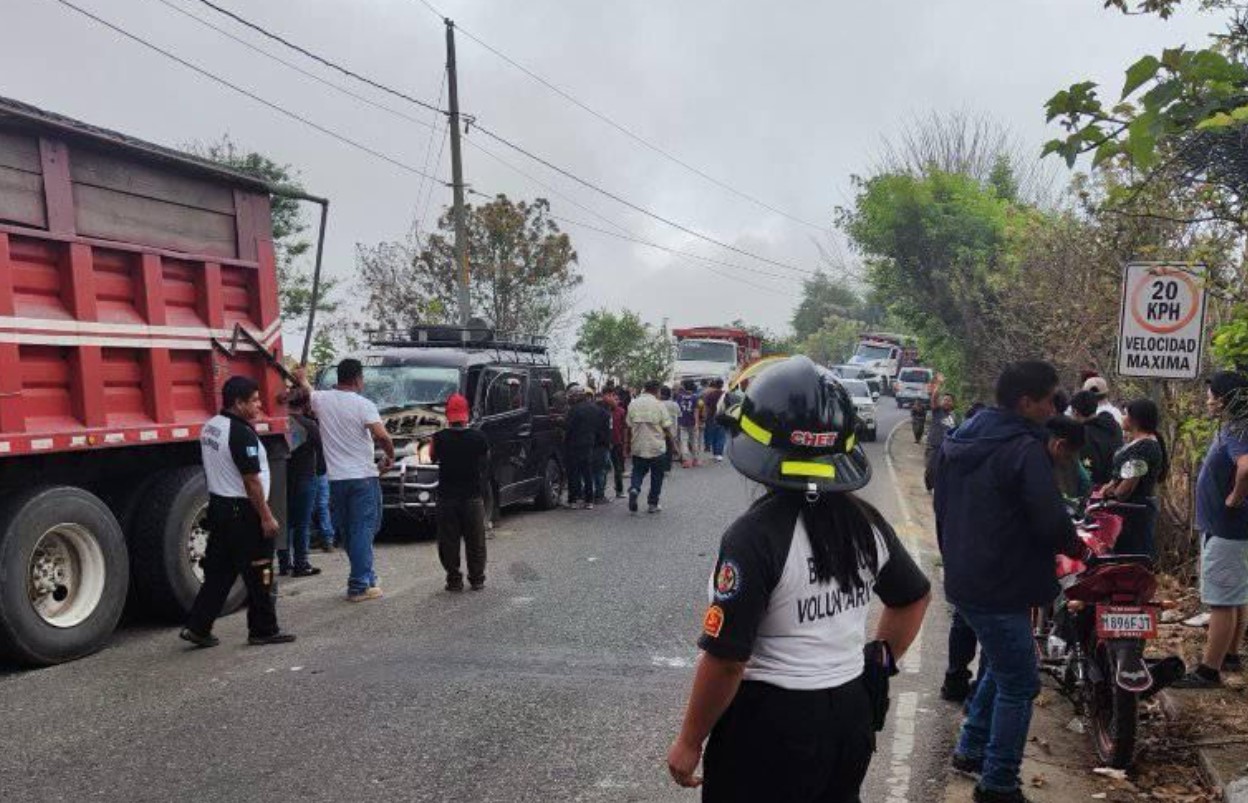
(350, 429)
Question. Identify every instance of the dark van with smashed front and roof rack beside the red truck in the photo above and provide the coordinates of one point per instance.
(516, 398)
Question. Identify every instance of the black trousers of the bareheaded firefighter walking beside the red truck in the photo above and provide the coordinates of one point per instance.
(236, 546)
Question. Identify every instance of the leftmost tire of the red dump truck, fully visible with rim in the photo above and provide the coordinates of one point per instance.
(64, 574)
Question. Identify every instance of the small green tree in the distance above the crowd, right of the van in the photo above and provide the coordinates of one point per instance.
(621, 347)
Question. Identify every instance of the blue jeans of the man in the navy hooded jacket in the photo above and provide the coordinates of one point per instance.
(1000, 715)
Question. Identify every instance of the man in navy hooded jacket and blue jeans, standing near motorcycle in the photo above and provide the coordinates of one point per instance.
(1000, 520)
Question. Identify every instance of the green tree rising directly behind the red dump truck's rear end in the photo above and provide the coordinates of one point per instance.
(290, 244)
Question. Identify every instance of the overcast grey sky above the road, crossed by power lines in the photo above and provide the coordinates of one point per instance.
(781, 101)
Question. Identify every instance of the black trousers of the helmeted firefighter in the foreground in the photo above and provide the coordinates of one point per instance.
(791, 746)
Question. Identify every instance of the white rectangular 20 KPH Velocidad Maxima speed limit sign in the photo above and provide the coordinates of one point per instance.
(1161, 332)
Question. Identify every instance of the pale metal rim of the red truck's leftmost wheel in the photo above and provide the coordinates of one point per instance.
(67, 575)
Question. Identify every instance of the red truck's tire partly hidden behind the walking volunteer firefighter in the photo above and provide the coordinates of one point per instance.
(168, 543)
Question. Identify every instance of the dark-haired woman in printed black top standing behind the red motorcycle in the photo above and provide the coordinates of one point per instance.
(1139, 468)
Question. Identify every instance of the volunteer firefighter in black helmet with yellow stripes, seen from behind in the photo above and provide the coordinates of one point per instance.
(788, 690)
